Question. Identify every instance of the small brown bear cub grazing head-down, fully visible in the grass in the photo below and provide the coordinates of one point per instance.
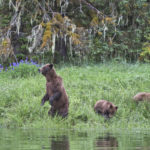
(105, 108)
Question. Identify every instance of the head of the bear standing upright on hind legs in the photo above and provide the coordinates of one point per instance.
(48, 71)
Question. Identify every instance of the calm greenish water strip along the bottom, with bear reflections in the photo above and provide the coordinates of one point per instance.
(40, 139)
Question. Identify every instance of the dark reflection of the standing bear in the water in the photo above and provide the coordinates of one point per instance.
(60, 143)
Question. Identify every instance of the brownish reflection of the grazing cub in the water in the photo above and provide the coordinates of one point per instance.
(107, 142)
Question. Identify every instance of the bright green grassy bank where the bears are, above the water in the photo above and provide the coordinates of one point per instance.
(20, 97)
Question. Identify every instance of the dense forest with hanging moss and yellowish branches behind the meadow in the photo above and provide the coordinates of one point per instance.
(74, 30)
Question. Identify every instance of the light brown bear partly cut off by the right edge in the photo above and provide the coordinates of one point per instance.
(142, 96)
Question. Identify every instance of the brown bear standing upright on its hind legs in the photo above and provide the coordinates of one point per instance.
(55, 92)
